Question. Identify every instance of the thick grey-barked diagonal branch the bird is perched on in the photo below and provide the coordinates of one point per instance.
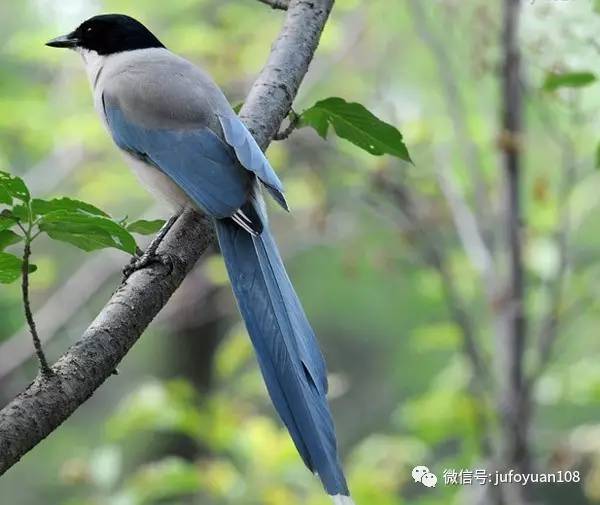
(47, 402)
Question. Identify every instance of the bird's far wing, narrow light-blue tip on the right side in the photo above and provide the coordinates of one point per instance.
(251, 156)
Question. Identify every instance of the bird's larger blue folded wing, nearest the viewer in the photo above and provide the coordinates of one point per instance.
(204, 166)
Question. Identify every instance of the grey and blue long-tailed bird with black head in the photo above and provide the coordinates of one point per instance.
(180, 135)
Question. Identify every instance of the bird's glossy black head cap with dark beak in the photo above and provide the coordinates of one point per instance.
(108, 34)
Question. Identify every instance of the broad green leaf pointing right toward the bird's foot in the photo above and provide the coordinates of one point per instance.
(88, 232)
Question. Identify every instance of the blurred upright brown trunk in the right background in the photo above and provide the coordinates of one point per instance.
(513, 399)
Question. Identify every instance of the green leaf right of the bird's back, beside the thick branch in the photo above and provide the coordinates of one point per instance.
(353, 122)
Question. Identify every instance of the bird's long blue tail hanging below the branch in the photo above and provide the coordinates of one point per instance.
(286, 346)
